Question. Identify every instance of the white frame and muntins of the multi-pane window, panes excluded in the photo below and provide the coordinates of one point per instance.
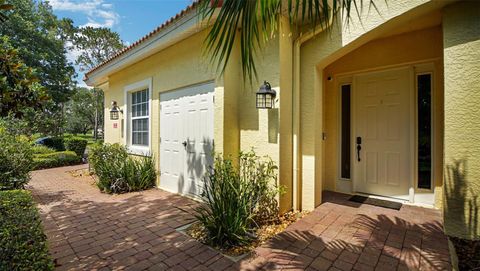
(128, 90)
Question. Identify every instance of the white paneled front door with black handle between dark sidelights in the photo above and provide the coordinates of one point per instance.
(382, 121)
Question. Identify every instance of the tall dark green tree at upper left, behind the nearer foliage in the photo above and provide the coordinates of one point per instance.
(37, 33)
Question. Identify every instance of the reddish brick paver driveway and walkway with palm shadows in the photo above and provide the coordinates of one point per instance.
(88, 230)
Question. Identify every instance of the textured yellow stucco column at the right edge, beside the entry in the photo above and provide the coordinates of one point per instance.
(461, 43)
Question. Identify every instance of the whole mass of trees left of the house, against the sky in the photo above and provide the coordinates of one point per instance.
(37, 81)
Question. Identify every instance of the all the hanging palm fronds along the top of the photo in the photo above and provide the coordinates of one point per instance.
(258, 20)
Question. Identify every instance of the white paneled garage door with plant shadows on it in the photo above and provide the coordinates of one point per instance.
(186, 138)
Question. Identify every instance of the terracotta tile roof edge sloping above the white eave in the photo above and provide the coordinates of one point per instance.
(144, 38)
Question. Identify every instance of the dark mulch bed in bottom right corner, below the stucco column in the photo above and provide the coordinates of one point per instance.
(468, 253)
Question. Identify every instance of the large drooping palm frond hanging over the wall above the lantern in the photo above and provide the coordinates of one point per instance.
(250, 21)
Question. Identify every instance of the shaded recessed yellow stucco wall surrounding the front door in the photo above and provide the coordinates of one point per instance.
(408, 49)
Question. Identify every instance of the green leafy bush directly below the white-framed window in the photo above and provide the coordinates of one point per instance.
(118, 172)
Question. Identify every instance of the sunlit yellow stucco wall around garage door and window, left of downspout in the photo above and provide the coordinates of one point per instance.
(238, 124)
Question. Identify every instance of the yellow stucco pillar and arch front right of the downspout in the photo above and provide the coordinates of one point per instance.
(321, 51)
